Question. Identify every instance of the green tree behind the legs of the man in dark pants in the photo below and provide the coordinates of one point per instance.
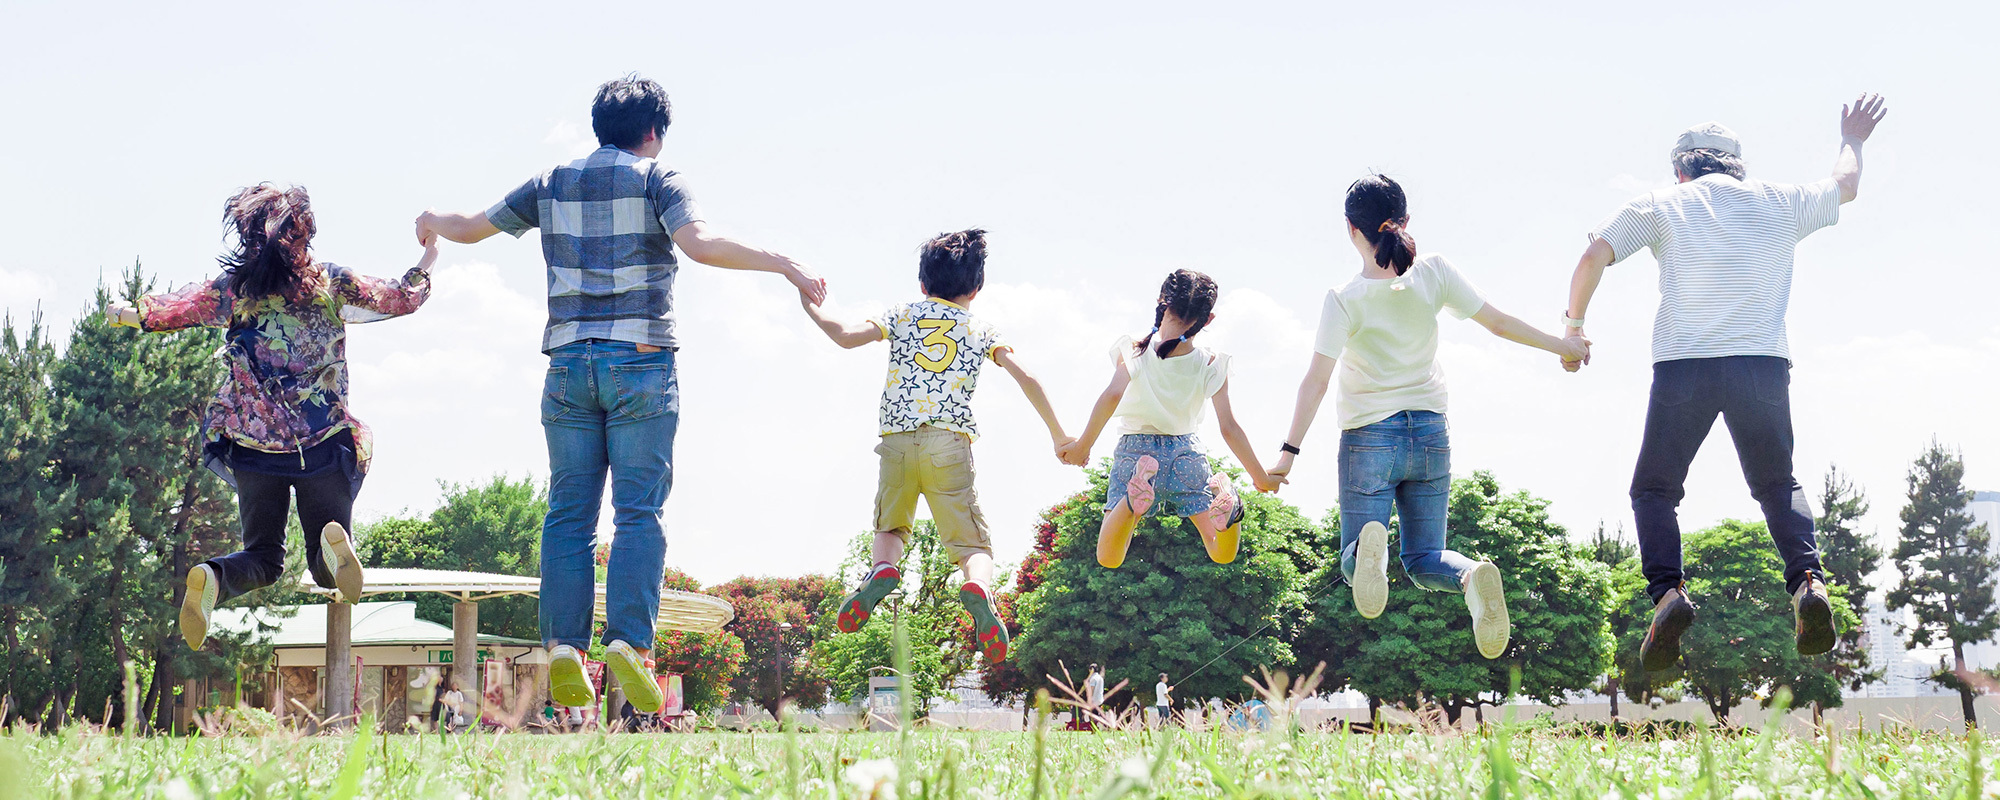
(1743, 639)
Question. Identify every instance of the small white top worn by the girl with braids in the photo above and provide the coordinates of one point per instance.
(1167, 395)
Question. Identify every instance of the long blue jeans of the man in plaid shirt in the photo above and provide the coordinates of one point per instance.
(607, 409)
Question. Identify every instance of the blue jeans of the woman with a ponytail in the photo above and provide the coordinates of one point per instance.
(1401, 465)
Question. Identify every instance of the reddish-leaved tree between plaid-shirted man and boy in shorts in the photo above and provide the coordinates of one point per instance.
(763, 609)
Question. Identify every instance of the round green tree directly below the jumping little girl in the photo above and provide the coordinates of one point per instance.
(1169, 609)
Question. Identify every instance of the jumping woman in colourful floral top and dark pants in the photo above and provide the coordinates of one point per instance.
(281, 421)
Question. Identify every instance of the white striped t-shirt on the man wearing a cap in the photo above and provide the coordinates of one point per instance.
(1725, 251)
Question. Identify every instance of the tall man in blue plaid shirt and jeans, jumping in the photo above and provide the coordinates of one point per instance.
(611, 401)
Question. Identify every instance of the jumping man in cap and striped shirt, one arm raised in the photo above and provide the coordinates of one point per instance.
(1725, 247)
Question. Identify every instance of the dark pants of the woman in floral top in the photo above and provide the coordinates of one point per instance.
(265, 503)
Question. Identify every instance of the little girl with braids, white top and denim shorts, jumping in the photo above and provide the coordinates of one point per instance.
(1159, 391)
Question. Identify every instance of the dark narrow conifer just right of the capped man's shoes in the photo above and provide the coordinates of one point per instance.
(1849, 557)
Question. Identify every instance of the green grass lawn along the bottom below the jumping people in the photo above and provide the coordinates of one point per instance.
(993, 765)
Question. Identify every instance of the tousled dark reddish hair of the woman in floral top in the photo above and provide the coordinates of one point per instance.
(273, 237)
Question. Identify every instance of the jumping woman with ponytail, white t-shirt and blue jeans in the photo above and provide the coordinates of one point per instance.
(1381, 335)
